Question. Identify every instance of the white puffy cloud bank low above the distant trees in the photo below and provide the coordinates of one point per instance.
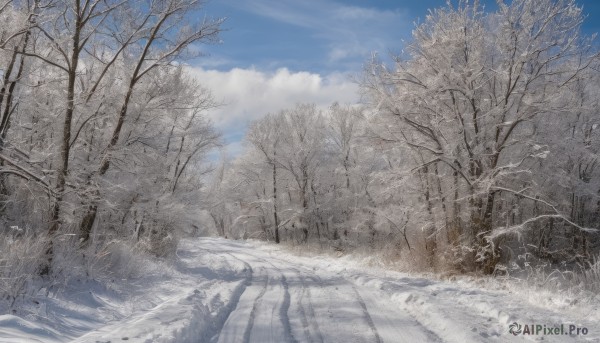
(249, 94)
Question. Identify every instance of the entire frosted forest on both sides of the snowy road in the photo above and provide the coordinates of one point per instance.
(472, 151)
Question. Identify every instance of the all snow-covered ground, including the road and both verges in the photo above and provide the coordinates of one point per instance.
(230, 291)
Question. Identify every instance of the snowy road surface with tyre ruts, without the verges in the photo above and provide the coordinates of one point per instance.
(288, 302)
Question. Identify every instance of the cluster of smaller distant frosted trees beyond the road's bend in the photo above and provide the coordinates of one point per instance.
(301, 178)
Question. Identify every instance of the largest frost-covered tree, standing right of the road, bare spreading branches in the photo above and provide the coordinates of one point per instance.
(467, 102)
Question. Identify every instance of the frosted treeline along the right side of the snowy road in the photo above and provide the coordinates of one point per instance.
(475, 150)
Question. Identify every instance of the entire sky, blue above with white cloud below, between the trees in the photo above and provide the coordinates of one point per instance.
(276, 53)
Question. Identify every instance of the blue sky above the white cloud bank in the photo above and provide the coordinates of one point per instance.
(322, 35)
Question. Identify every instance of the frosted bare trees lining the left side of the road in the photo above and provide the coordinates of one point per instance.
(103, 133)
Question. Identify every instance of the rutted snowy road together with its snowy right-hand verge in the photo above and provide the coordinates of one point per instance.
(289, 298)
